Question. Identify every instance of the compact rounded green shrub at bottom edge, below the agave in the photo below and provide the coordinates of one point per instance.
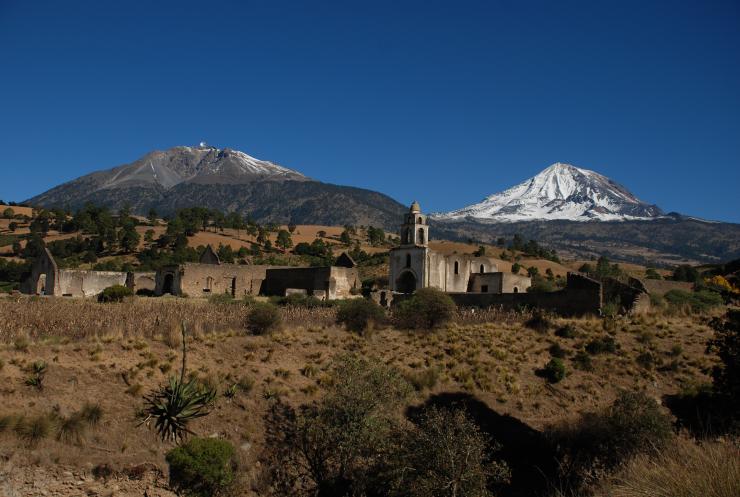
(203, 467)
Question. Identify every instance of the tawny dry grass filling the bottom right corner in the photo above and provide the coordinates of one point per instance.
(687, 469)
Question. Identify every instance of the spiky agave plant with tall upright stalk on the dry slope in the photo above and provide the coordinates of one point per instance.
(174, 405)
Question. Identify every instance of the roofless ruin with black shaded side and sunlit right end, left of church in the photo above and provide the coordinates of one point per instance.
(324, 282)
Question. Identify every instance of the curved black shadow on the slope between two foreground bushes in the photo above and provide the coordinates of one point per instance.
(525, 450)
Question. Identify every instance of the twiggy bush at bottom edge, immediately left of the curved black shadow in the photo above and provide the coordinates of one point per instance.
(446, 451)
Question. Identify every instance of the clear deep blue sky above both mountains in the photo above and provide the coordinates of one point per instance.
(440, 101)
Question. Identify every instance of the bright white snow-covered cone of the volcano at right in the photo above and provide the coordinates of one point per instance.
(561, 191)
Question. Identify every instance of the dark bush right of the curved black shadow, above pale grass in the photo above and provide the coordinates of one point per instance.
(599, 441)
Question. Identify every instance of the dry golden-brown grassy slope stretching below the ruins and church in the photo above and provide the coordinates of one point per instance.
(112, 354)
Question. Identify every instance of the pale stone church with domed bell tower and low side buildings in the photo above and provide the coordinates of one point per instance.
(414, 265)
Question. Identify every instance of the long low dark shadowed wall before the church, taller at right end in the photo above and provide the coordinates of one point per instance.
(581, 296)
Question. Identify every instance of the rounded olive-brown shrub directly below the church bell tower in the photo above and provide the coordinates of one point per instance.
(428, 308)
